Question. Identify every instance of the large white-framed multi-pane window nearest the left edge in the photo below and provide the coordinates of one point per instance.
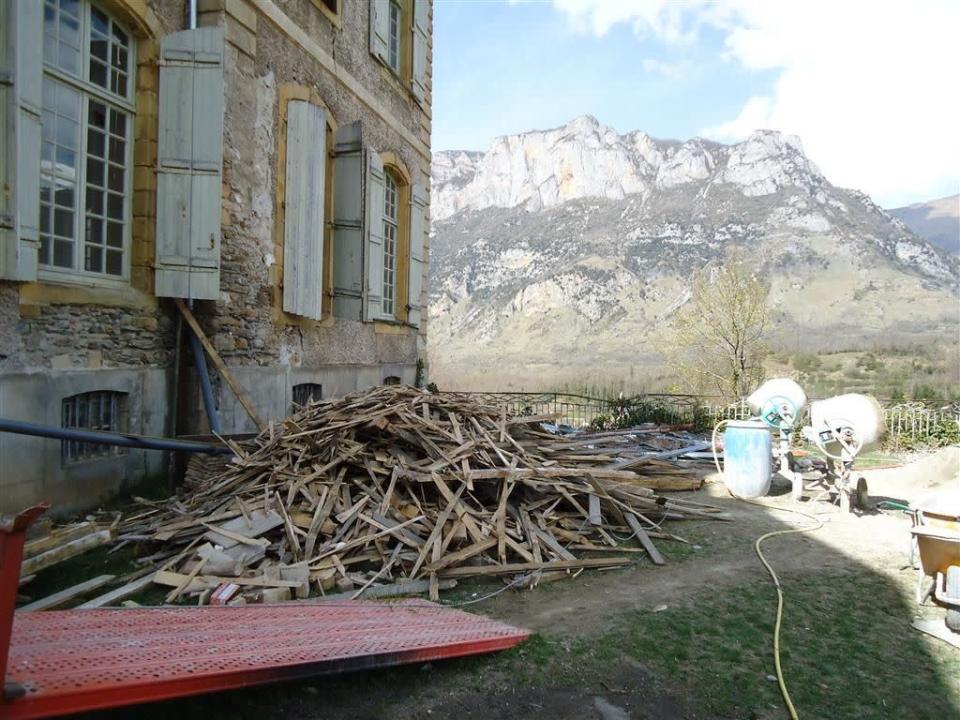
(85, 154)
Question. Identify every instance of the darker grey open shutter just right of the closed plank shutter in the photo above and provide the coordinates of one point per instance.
(348, 171)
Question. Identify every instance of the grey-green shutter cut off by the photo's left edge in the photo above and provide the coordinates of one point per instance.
(21, 82)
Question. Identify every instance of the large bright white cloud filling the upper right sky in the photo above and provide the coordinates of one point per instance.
(870, 87)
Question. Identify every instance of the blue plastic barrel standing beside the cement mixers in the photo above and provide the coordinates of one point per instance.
(748, 454)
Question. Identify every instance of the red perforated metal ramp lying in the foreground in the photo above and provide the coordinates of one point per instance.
(74, 660)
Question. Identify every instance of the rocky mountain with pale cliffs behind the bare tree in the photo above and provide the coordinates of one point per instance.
(556, 254)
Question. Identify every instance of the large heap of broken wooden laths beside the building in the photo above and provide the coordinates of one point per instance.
(400, 484)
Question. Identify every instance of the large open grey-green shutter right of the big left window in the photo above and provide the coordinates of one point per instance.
(190, 154)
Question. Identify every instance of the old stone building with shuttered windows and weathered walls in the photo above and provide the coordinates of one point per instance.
(264, 162)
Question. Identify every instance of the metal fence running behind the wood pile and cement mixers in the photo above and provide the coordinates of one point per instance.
(909, 425)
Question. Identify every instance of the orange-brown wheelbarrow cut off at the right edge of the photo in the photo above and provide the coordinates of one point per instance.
(936, 531)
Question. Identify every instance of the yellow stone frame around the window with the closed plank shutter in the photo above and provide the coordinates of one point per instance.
(287, 92)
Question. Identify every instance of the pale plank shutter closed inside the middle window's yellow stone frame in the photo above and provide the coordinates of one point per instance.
(303, 228)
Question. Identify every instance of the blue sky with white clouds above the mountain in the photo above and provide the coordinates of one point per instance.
(871, 88)
